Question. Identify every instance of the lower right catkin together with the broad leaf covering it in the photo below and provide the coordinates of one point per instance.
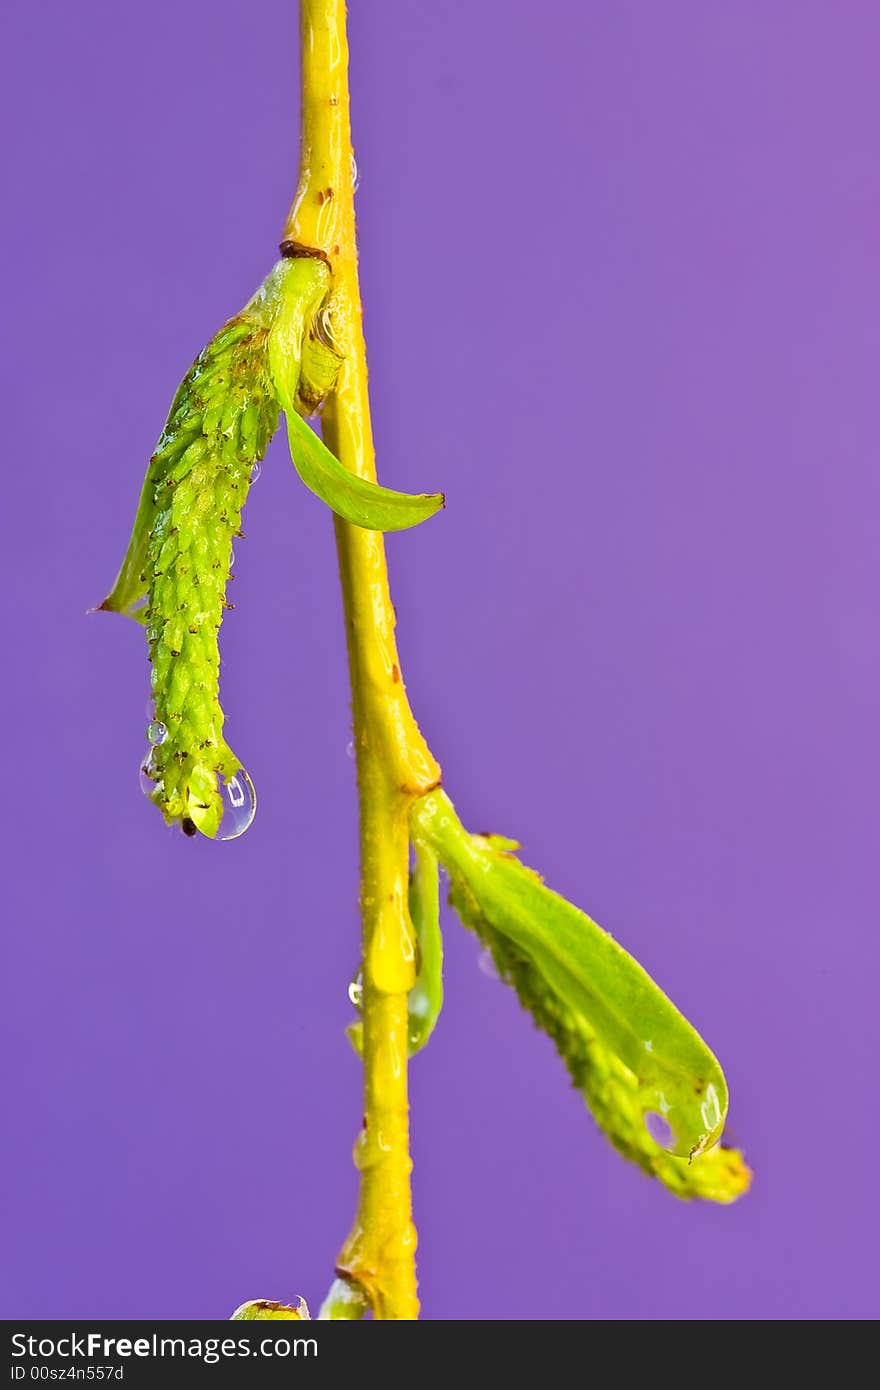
(630, 1053)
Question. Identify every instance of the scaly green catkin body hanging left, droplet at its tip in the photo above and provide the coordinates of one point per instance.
(219, 429)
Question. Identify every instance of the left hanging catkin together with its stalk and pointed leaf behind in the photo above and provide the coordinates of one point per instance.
(219, 427)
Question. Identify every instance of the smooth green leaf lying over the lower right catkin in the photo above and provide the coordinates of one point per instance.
(592, 976)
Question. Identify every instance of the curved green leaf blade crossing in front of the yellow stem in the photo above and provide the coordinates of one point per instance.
(352, 498)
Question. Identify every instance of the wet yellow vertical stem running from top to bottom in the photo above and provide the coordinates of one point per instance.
(377, 1264)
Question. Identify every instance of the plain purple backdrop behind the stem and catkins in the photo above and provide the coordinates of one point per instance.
(621, 269)
